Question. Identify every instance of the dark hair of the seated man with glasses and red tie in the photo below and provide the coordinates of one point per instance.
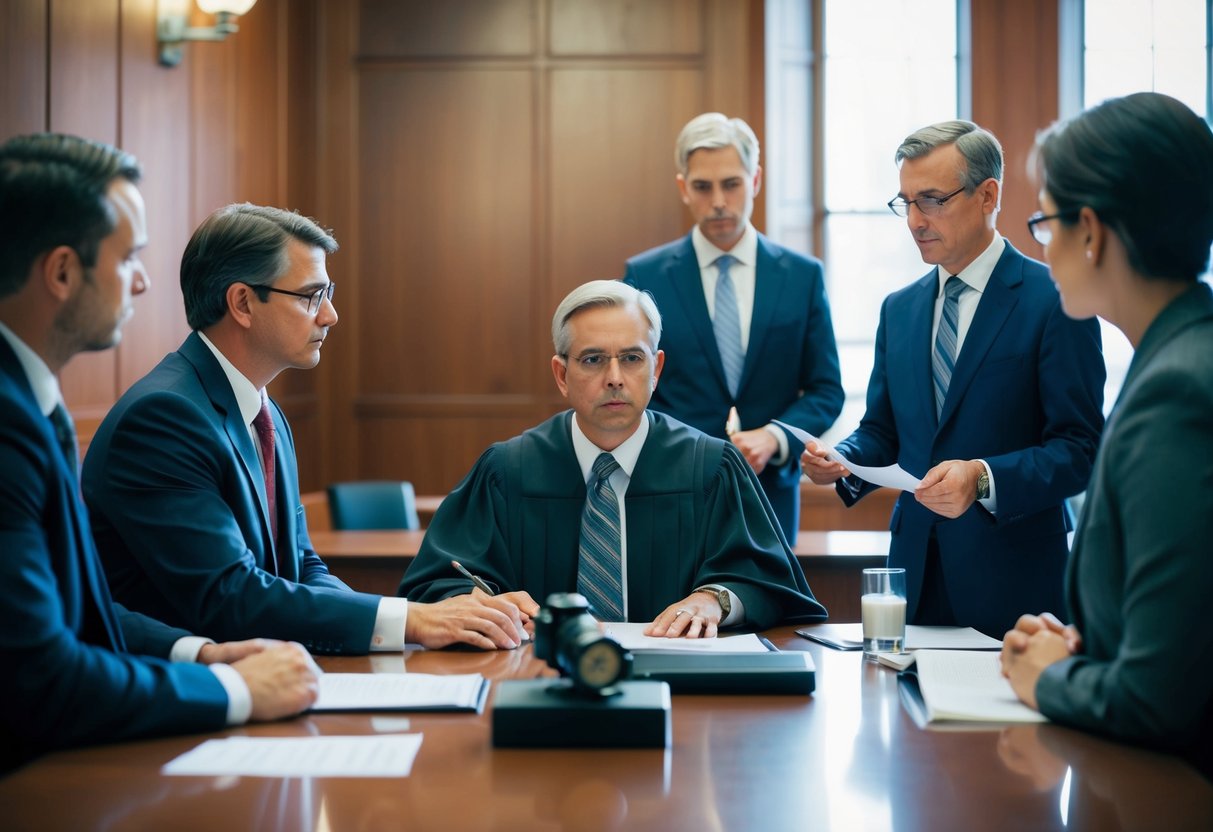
(246, 244)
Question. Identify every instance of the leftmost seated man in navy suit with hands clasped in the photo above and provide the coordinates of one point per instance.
(78, 668)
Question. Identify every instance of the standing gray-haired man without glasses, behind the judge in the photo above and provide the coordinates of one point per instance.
(747, 322)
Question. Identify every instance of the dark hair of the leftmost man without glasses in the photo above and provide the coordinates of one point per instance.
(53, 193)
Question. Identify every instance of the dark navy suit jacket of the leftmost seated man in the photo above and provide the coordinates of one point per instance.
(71, 673)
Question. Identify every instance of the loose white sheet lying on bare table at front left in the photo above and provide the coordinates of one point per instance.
(301, 757)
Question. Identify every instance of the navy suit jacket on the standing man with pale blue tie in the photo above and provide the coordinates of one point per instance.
(791, 368)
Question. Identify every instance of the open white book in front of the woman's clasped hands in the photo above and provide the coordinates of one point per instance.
(970, 687)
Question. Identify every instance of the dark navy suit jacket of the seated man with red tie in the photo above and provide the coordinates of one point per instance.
(179, 508)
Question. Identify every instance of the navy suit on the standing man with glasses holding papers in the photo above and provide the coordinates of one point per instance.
(1027, 397)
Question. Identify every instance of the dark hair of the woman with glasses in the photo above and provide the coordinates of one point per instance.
(1144, 166)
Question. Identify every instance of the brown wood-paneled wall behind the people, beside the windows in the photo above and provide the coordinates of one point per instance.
(476, 158)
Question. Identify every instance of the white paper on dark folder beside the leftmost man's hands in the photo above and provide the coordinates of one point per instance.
(398, 692)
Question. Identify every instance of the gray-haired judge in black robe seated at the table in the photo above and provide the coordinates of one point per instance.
(652, 521)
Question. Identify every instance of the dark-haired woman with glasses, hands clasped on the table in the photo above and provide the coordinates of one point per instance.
(1127, 223)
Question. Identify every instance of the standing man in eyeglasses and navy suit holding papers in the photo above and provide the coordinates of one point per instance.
(984, 389)
